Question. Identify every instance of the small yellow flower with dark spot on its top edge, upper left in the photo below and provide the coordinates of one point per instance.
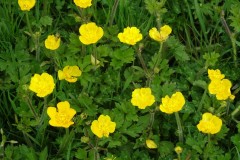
(52, 42)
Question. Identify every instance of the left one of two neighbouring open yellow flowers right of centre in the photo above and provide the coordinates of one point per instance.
(142, 97)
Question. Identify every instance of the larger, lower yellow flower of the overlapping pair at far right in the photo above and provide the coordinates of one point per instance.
(221, 88)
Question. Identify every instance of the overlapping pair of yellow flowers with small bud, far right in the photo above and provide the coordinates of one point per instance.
(219, 86)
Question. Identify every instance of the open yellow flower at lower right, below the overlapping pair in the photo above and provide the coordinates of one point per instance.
(209, 124)
